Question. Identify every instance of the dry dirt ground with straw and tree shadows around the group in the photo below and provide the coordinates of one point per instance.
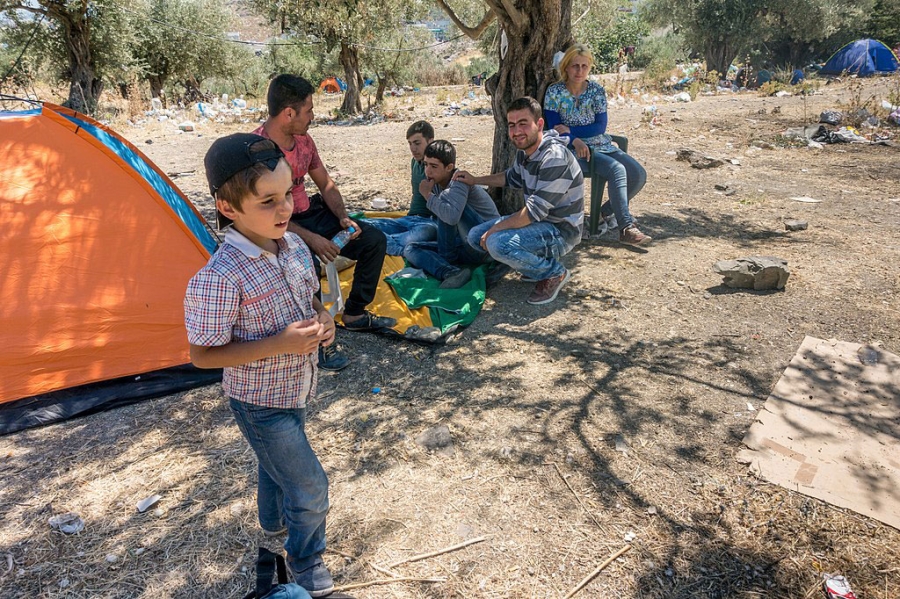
(643, 347)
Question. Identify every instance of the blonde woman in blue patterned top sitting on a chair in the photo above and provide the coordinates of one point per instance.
(576, 107)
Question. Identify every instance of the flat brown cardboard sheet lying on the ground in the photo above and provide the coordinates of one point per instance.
(831, 428)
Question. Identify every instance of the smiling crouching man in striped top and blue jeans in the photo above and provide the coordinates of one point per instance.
(532, 240)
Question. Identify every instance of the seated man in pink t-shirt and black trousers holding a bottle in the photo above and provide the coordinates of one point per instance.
(317, 219)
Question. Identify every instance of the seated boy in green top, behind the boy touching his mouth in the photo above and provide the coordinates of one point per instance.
(419, 223)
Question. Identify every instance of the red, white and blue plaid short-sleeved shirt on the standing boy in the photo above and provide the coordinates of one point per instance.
(245, 293)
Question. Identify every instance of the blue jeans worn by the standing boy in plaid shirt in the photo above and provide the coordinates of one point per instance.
(293, 486)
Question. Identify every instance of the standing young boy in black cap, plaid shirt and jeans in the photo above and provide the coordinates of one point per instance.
(252, 311)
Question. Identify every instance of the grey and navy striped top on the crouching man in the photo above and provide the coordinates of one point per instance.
(553, 185)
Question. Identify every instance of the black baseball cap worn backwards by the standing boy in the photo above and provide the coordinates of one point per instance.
(229, 155)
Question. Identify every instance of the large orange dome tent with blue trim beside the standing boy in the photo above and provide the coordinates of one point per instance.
(98, 246)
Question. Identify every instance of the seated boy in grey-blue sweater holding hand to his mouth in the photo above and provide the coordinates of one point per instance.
(458, 207)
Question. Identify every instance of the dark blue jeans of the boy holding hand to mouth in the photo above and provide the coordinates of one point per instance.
(440, 258)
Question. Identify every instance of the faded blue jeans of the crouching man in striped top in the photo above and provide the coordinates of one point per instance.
(534, 250)
